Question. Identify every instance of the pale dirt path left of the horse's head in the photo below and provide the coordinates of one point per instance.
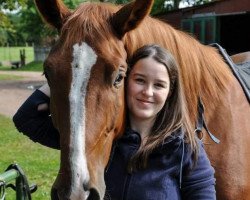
(14, 92)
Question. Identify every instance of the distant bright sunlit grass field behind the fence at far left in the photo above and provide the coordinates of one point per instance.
(13, 53)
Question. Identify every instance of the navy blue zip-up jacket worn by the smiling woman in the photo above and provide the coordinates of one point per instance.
(170, 173)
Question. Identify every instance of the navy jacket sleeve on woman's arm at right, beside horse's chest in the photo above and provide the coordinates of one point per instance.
(198, 178)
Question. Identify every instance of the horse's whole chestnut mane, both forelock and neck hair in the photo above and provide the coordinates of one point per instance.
(203, 71)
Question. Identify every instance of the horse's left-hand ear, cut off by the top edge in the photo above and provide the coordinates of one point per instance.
(54, 12)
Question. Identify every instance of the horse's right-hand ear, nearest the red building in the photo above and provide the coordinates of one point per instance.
(130, 16)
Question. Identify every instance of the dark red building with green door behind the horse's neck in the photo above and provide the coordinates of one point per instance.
(226, 22)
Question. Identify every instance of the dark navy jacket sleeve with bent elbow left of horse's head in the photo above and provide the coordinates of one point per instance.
(37, 125)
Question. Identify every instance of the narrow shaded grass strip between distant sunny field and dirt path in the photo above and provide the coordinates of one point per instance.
(36, 66)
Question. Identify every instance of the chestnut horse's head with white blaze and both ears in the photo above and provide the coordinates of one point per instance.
(85, 71)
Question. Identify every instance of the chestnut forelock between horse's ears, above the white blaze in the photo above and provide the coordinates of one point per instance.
(90, 21)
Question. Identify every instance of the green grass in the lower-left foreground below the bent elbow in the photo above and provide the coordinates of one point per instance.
(39, 163)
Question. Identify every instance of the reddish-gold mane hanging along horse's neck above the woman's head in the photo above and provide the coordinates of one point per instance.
(203, 71)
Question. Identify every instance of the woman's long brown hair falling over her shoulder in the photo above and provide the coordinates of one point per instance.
(174, 114)
